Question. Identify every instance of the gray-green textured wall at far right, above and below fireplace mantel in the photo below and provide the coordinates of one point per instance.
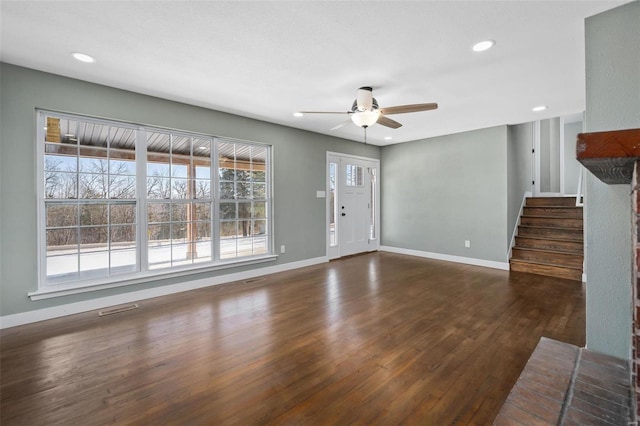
(613, 94)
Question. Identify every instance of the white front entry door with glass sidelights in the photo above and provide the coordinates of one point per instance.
(353, 211)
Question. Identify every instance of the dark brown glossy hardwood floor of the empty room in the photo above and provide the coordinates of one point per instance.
(380, 338)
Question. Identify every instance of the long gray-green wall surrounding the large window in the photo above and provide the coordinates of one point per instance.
(299, 171)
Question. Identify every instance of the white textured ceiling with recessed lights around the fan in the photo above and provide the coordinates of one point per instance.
(268, 59)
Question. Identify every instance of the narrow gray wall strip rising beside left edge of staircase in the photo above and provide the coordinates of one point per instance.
(519, 176)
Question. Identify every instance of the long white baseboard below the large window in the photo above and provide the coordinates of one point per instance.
(28, 317)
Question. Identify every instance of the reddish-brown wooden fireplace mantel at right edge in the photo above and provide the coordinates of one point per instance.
(610, 155)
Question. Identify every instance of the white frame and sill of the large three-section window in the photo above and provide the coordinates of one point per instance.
(143, 272)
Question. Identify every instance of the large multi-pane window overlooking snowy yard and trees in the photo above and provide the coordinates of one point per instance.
(120, 200)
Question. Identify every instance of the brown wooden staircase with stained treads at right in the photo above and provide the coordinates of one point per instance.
(550, 238)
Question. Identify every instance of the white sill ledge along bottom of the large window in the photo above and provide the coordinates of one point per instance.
(48, 292)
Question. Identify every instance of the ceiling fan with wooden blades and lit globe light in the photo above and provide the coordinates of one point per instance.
(365, 111)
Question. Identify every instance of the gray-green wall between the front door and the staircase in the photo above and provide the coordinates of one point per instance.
(439, 192)
